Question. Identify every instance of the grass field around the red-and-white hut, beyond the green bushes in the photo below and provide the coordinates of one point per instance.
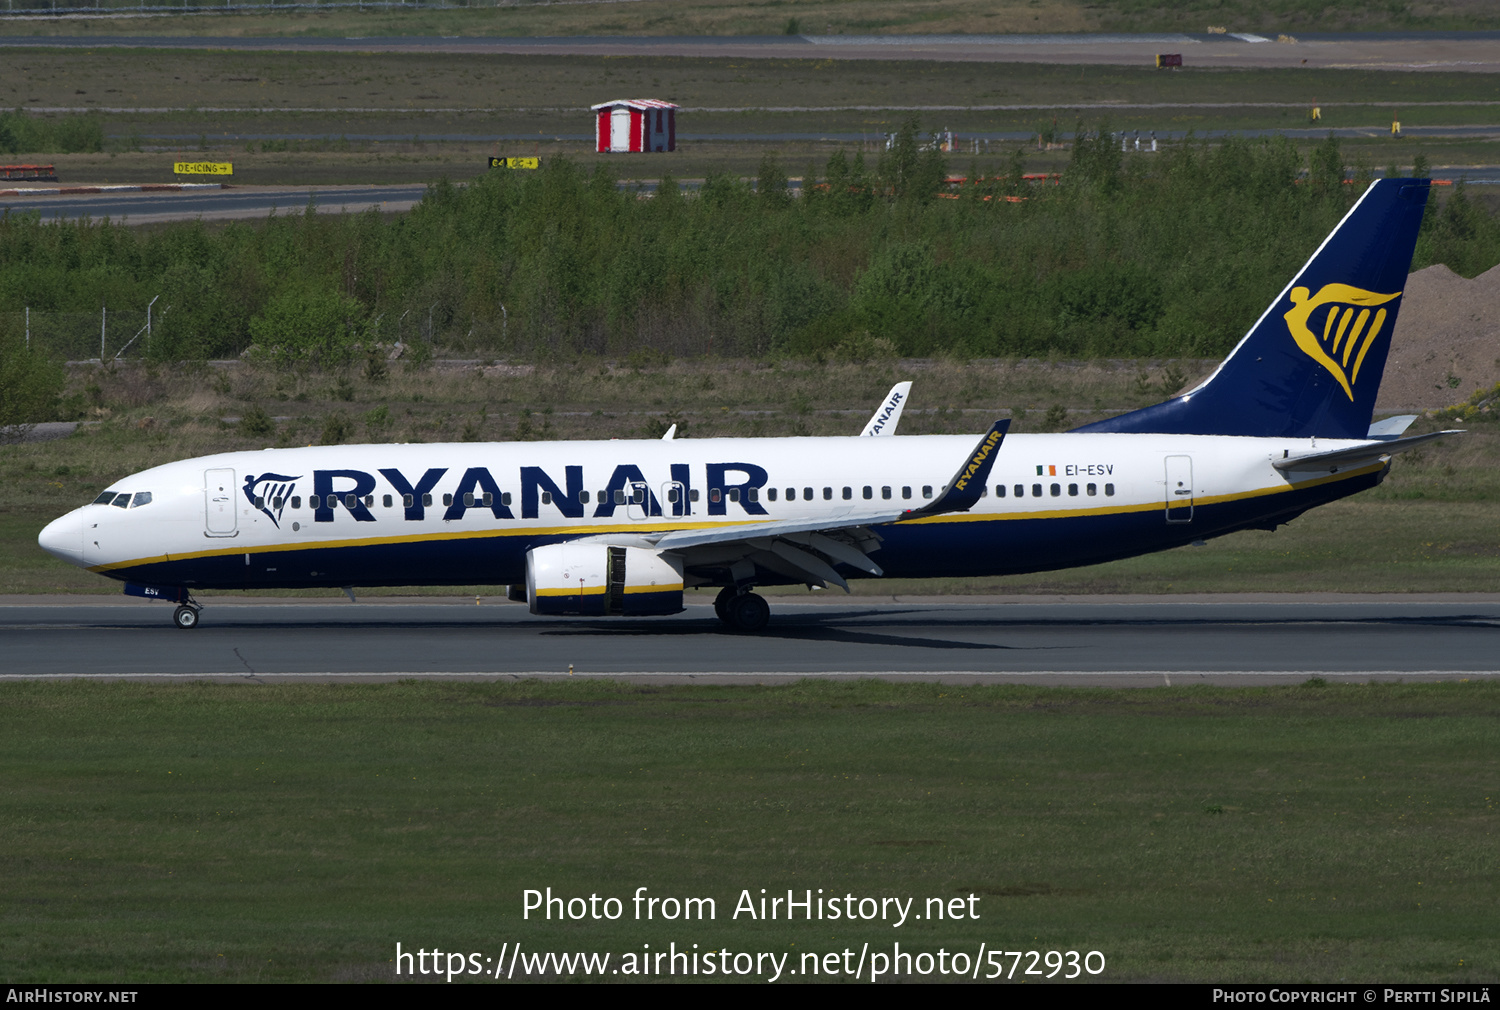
(538, 106)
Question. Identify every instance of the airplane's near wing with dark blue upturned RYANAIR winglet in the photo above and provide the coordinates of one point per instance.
(808, 549)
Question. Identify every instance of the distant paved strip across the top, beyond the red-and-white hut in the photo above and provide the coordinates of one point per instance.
(1408, 52)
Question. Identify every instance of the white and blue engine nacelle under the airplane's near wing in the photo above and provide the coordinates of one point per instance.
(598, 580)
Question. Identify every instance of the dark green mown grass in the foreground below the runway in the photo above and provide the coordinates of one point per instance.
(187, 834)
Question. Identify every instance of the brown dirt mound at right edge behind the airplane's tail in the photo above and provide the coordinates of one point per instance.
(1447, 343)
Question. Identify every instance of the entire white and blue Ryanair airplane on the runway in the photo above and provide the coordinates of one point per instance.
(623, 528)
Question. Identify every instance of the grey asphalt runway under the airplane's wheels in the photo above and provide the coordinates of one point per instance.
(1118, 642)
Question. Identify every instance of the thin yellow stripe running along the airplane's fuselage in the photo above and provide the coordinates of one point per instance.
(662, 528)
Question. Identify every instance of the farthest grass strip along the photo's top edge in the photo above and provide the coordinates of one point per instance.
(812, 17)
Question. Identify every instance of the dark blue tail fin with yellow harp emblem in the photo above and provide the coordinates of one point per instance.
(1312, 364)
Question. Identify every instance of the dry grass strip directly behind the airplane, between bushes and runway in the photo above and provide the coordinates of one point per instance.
(1429, 529)
